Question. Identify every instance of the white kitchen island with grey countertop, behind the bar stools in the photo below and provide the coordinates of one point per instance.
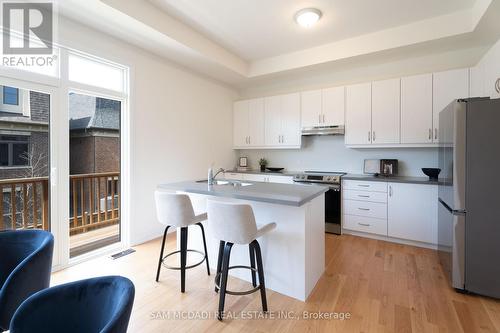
(293, 254)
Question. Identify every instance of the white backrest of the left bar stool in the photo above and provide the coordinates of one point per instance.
(174, 209)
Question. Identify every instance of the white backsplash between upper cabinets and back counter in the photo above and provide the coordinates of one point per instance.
(328, 153)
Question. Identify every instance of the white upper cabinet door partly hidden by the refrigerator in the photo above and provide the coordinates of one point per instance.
(447, 86)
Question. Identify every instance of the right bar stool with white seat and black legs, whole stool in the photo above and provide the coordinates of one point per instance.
(235, 224)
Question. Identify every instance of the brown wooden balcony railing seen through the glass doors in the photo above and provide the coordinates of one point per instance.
(94, 202)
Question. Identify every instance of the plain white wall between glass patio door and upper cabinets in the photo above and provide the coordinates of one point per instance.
(179, 122)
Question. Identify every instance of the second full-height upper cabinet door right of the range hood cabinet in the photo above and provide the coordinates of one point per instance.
(386, 111)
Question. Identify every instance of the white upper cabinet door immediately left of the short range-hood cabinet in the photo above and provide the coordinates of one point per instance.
(290, 120)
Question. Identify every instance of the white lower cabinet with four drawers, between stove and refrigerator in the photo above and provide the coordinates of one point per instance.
(405, 211)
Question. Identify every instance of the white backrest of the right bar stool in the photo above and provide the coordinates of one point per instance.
(234, 223)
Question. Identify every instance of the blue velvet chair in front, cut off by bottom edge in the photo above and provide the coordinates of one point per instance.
(101, 304)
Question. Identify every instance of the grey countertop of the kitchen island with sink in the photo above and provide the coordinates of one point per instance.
(281, 194)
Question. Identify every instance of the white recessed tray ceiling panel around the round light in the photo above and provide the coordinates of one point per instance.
(259, 29)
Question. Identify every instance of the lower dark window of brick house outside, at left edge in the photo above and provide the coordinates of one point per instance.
(14, 150)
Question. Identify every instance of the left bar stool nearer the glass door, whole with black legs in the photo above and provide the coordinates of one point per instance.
(176, 210)
